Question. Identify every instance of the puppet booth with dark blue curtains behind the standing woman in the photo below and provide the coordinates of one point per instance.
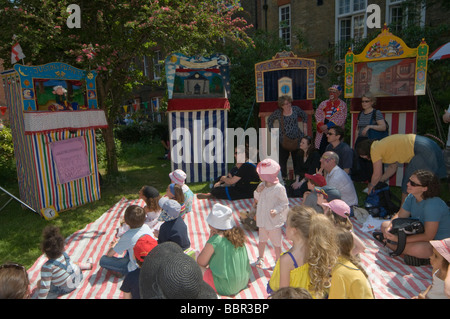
(285, 74)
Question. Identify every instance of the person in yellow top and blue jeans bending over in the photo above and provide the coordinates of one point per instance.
(417, 151)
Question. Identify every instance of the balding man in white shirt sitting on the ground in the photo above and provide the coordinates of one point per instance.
(338, 178)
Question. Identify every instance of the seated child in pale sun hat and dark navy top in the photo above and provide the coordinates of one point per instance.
(173, 227)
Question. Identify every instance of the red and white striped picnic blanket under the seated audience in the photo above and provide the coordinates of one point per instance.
(389, 277)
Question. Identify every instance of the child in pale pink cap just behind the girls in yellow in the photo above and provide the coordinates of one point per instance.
(339, 212)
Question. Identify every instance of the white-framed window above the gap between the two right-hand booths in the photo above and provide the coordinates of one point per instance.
(350, 24)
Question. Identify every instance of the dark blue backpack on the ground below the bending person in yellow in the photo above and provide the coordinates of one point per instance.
(381, 202)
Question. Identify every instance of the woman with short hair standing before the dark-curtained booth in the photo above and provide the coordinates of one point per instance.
(290, 134)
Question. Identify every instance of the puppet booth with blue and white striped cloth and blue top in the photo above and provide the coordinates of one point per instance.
(198, 91)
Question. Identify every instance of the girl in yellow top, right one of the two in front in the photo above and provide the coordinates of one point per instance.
(348, 279)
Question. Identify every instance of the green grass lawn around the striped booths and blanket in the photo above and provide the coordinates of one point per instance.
(139, 165)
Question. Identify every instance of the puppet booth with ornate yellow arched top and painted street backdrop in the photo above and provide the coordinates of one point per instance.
(395, 74)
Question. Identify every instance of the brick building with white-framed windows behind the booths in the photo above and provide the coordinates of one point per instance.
(325, 29)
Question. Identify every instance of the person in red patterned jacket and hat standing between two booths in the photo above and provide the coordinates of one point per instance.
(329, 113)
